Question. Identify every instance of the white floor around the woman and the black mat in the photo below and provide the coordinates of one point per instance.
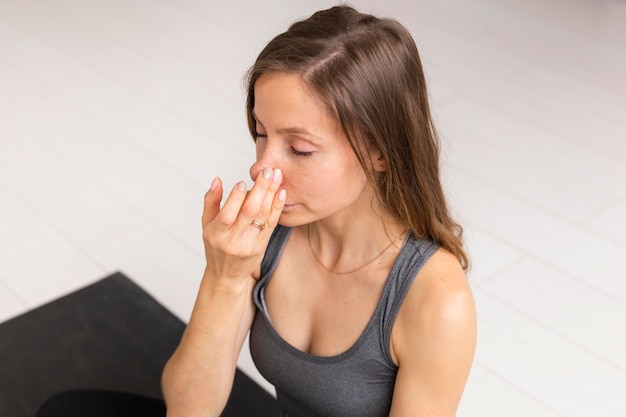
(116, 115)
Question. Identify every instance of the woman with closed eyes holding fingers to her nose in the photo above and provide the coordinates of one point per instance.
(342, 261)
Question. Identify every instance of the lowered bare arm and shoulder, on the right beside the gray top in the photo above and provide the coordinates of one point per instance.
(433, 341)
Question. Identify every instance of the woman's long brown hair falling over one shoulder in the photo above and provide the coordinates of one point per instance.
(368, 73)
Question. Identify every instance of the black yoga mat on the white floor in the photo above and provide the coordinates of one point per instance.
(110, 335)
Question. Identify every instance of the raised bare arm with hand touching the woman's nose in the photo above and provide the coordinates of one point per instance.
(198, 378)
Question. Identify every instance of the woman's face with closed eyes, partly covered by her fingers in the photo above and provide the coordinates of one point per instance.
(296, 133)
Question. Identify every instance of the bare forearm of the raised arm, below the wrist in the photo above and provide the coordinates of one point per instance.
(198, 378)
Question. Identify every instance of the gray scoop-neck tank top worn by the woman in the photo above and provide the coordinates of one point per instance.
(358, 382)
